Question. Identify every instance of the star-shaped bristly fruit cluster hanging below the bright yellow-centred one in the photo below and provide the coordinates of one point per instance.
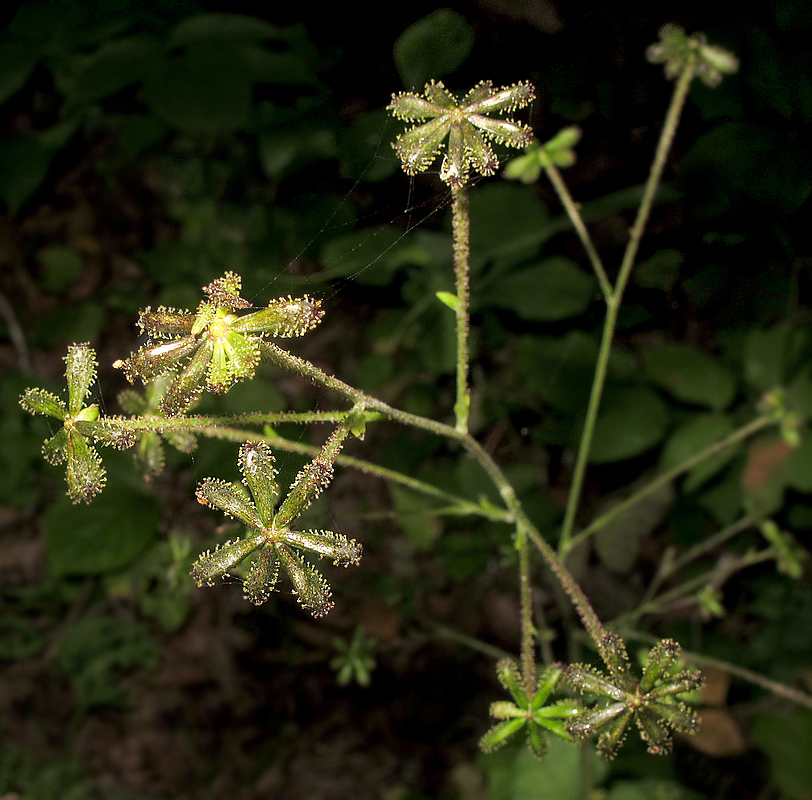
(270, 534)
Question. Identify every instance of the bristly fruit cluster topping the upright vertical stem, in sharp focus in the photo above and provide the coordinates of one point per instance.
(467, 123)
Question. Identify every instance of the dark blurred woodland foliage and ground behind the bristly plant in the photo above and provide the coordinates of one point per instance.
(146, 147)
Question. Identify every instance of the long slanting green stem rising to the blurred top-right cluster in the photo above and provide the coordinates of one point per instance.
(615, 298)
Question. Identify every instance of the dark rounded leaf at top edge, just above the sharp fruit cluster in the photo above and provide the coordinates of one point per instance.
(434, 46)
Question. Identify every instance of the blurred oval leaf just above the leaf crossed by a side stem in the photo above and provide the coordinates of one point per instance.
(691, 376)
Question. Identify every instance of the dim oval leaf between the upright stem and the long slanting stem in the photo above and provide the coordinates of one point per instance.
(547, 291)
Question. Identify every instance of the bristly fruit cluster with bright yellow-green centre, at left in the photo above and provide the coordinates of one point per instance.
(213, 347)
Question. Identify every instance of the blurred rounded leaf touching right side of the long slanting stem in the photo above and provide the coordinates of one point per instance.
(632, 421)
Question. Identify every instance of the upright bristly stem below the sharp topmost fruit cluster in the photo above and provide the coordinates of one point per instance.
(462, 276)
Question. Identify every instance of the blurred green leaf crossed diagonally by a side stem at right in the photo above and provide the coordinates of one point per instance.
(692, 437)
